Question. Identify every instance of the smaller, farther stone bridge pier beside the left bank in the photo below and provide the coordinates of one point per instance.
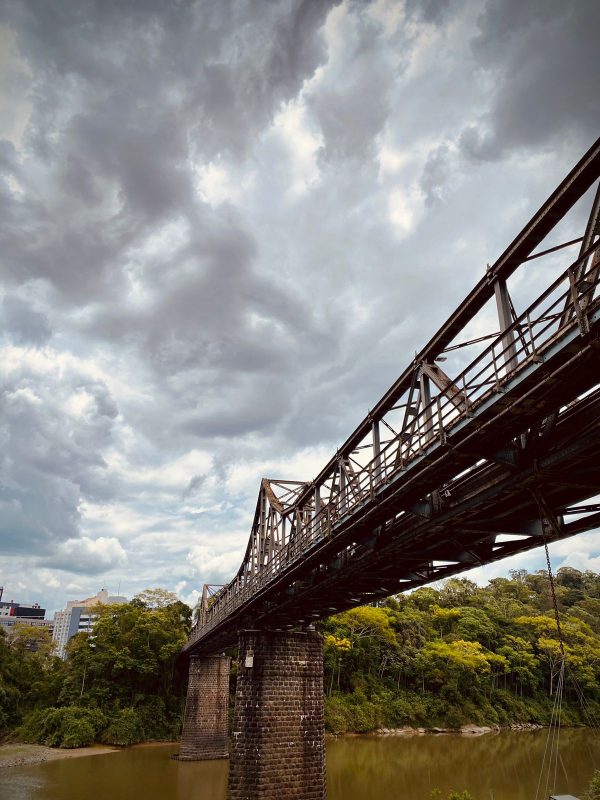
(204, 734)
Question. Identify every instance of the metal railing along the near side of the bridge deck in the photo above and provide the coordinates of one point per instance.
(564, 308)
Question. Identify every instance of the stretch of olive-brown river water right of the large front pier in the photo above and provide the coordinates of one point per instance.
(504, 766)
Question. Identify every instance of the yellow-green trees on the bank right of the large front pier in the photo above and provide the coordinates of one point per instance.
(464, 654)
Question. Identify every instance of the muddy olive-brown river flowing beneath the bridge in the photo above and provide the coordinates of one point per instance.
(503, 766)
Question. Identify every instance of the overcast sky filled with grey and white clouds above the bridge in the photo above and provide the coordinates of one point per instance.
(225, 229)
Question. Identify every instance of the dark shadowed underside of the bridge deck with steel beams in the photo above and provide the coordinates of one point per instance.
(507, 506)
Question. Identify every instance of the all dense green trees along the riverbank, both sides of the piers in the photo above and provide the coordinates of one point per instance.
(436, 657)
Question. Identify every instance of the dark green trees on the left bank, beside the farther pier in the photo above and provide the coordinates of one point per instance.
(122, 683)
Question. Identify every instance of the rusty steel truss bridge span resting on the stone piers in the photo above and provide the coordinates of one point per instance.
(495, 453)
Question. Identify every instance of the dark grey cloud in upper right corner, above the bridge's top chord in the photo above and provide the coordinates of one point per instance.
(542, 58)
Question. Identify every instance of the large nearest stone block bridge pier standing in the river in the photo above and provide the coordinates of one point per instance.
(278, 745)
